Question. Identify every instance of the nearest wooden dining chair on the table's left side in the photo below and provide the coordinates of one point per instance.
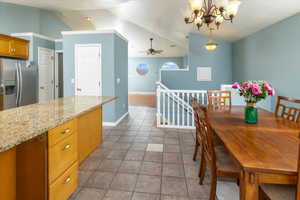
(215, 157)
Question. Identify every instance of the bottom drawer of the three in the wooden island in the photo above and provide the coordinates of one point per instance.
(65, 185)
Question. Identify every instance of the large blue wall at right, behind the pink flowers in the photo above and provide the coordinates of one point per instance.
(273, 55)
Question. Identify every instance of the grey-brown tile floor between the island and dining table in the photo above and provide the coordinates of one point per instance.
(123, 169)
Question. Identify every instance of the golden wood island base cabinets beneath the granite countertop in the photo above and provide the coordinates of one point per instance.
(47, 165)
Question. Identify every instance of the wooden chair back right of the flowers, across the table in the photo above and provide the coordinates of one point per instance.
(285, 107)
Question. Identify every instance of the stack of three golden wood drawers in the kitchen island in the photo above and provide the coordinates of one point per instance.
(62, 161)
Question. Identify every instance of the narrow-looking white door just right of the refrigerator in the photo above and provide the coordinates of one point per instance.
(46, 73)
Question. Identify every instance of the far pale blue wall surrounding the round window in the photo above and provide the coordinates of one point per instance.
(146, 83)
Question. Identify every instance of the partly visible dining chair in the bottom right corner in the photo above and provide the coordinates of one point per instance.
(281, 192)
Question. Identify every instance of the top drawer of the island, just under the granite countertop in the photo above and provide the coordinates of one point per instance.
(61, 132)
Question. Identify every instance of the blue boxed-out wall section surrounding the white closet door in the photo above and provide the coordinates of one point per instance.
(111, 48)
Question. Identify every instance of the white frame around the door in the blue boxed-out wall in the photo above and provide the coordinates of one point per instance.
(76, 64)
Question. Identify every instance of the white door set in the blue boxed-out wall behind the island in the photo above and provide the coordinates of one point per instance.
(88, 70)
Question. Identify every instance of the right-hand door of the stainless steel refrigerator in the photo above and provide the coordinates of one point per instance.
(28, 84)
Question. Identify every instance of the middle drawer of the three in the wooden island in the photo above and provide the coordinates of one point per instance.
(62, 156)
